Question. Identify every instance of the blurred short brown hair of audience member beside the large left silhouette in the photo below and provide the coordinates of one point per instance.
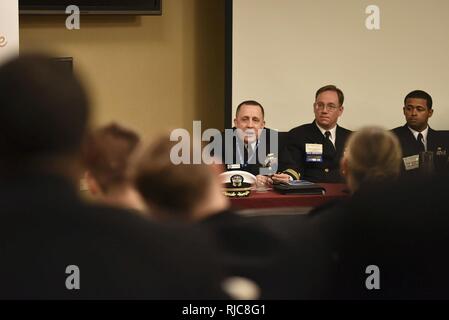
(108, 152)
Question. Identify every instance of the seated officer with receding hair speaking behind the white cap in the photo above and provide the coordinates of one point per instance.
(248, 144)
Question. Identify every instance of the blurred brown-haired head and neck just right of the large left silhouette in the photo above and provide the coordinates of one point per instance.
(109, 154)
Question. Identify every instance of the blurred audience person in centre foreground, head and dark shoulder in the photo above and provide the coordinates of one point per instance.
(246, 246)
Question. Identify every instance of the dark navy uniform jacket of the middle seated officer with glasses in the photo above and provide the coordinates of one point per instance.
(294, 159)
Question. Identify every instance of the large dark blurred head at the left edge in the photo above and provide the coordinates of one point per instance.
(43, 115)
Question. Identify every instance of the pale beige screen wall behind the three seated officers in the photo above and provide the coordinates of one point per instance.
(284, 50)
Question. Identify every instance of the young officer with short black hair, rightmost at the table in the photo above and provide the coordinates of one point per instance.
(416, 136)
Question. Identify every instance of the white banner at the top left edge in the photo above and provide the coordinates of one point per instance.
(9, 29)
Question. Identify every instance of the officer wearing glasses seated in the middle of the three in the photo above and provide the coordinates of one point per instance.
(314, 150)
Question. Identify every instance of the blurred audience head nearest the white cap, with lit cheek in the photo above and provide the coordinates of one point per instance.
(184, 191)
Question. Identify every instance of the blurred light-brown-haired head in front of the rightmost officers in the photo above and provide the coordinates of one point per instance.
(372, 155)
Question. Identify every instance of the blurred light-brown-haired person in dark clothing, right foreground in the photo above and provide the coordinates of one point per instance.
(388, 241)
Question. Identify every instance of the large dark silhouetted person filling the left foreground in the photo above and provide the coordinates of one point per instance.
(55, 246)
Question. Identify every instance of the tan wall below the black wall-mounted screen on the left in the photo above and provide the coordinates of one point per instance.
(150, 73)
